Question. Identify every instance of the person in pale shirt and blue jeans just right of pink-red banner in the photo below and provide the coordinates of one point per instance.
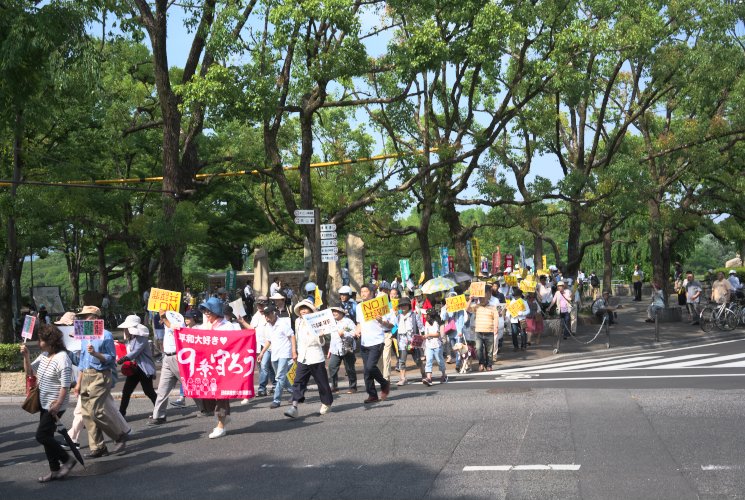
(281, 344)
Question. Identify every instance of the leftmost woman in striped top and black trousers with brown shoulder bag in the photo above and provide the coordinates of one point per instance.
(53, 371)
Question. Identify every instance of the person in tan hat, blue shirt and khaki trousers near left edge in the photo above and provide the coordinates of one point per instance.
(97, 371)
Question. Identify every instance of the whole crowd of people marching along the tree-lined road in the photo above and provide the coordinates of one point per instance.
(418, 326)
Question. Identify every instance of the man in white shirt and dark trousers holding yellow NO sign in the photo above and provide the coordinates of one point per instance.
(372, 338)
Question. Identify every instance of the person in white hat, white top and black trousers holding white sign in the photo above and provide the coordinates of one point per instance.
(311, 361)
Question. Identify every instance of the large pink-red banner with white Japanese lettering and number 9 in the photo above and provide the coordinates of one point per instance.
(216, 364)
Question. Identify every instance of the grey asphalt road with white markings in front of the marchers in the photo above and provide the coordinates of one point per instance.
(665, 423)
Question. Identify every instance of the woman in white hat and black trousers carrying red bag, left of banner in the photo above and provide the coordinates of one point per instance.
(137, 365)
